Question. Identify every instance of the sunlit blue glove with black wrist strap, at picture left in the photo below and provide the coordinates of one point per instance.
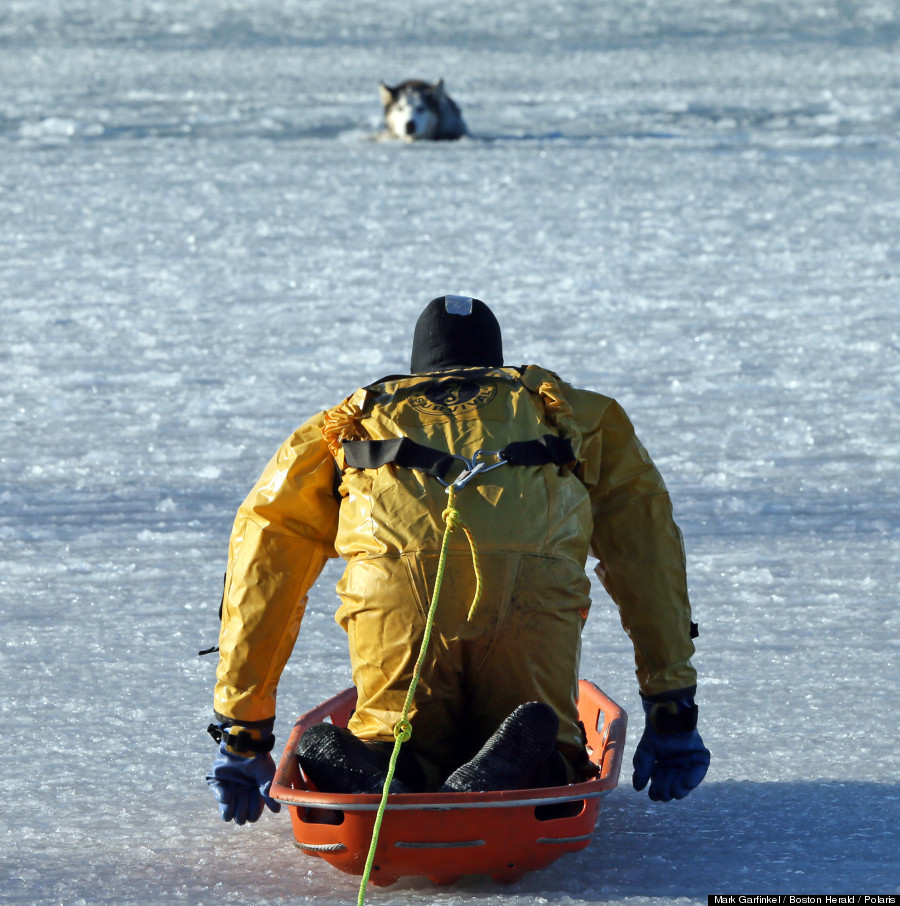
(240, 779)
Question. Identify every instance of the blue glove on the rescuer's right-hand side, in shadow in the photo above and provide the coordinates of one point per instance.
(671, 754)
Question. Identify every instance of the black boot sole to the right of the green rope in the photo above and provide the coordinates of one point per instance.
(521, 754)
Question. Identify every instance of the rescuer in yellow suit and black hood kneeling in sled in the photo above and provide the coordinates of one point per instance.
(367, 480)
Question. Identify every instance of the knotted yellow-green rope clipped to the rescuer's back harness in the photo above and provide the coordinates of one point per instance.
(403, 728)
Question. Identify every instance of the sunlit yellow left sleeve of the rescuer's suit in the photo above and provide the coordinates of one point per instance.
(282, 536)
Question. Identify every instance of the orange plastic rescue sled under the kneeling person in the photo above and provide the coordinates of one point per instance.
(444, 836)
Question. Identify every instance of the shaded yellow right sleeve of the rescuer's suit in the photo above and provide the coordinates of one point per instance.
(638, 544)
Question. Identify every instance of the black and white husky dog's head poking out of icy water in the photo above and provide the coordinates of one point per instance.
(415, 110)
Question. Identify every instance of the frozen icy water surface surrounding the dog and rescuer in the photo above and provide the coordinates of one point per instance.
(690, 206)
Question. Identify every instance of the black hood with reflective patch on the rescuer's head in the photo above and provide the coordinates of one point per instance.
(456, 332)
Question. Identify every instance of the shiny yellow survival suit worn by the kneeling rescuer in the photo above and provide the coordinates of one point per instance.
(533, 525)
